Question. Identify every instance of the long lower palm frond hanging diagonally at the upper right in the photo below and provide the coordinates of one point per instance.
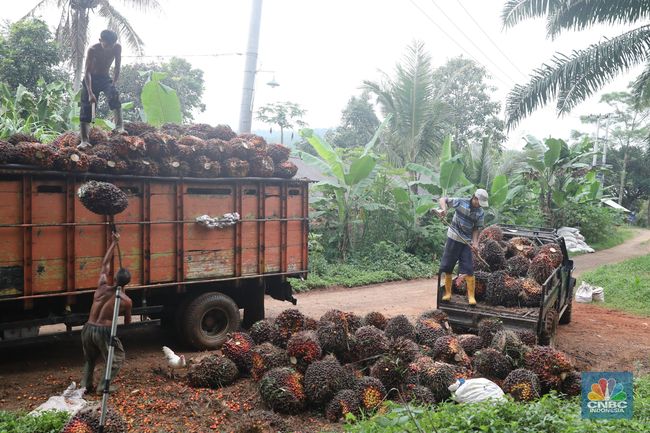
(573, 78)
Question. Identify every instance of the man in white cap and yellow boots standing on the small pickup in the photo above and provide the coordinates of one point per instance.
(465, 228)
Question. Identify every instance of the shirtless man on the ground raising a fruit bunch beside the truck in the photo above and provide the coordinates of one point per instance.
(96, 333)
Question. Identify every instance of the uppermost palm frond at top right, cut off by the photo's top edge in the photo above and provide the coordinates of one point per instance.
(580, 14)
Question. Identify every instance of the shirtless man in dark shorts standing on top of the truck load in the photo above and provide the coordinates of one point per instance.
(96, 80)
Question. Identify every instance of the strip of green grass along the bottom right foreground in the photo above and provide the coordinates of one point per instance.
(551, 413)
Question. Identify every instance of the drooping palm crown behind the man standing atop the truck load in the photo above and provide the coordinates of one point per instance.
(72, 29)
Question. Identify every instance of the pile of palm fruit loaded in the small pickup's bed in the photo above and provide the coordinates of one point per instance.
(512, 272)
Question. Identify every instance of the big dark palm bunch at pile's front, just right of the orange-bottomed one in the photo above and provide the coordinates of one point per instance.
(323, 379)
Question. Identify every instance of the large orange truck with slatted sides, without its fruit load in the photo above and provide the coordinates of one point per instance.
(193, 278)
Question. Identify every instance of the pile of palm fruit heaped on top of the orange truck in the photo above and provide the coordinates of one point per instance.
(196, 150)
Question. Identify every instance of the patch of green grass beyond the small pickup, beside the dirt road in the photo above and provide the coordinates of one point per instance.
(626, 284)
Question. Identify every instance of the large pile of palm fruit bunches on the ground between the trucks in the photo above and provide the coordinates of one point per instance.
(344, 363)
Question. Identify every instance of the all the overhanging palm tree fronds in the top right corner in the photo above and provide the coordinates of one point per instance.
(572, 78)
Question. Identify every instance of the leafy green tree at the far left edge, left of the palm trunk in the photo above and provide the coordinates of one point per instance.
(28, 53)
